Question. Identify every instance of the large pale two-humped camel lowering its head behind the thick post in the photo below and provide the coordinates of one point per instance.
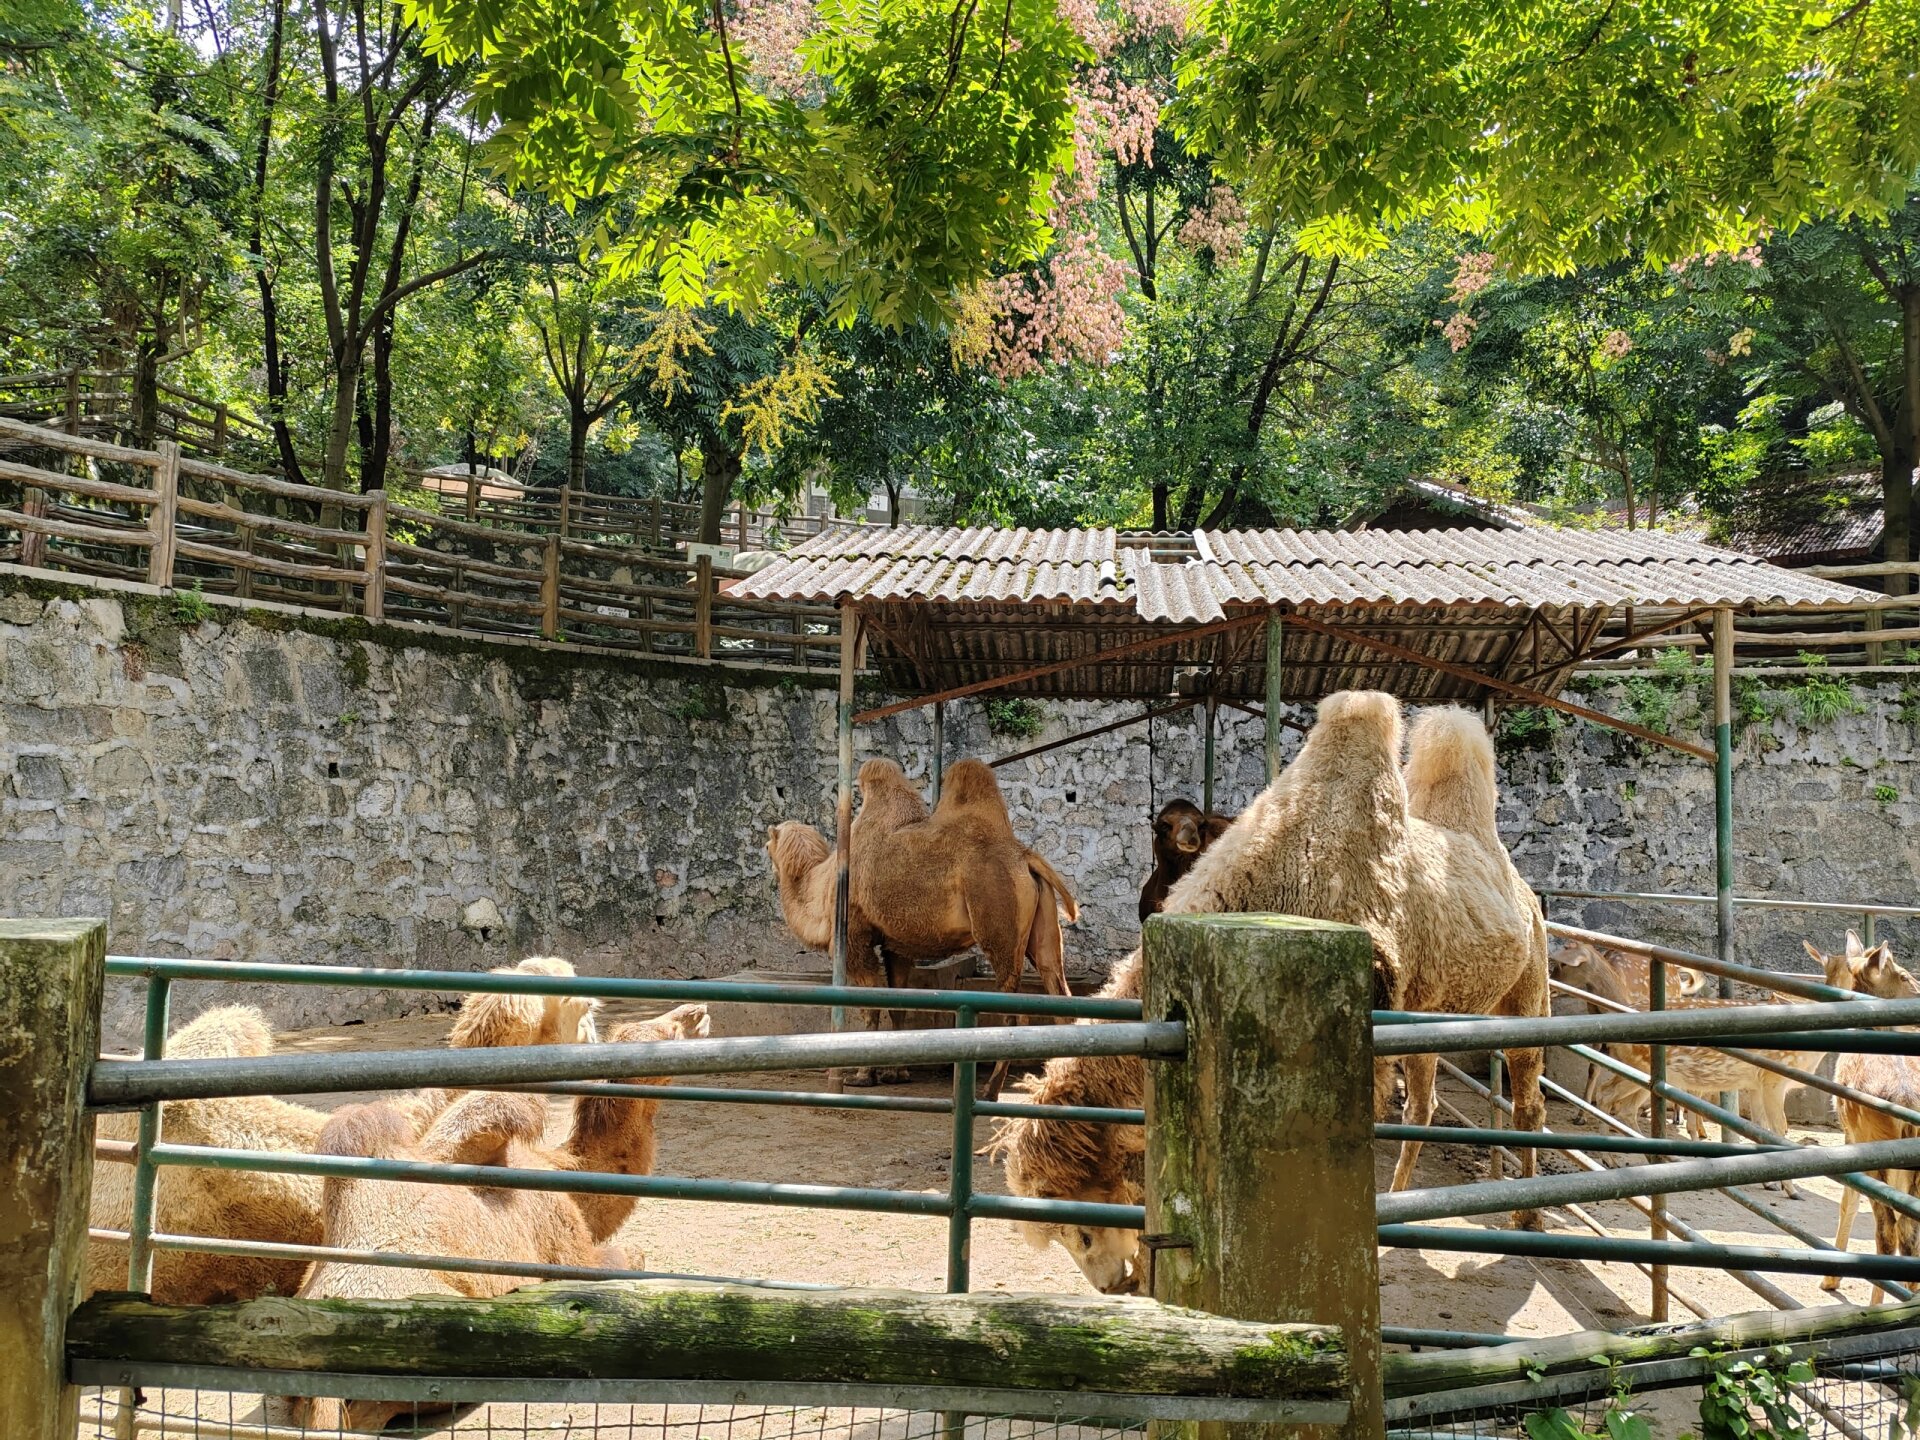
(1343, 834)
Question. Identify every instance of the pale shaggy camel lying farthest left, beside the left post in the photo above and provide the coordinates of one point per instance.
(260, 1207)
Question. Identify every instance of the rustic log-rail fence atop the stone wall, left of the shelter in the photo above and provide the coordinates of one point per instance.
(82, 506)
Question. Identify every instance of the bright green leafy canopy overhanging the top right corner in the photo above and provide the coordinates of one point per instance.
(1562, 133)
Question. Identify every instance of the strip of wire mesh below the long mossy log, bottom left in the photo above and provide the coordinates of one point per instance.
(210, 1414)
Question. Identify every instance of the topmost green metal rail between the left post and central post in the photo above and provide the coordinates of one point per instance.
(613, 988)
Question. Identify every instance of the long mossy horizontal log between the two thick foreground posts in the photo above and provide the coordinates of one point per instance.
(677, 1332)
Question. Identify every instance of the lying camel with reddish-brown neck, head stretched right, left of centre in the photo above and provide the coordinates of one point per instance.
(550, 1228)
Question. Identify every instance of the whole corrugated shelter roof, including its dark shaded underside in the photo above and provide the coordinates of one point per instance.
(1428, 615)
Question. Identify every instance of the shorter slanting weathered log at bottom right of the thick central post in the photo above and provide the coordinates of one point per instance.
(1562, 1355)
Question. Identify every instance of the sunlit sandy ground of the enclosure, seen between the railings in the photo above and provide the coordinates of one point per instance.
(915, 1153)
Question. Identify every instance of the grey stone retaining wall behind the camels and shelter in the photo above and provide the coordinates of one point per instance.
(277, 788)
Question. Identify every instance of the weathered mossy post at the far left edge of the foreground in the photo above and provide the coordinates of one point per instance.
(51, 978)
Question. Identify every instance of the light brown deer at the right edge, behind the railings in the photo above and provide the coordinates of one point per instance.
(1892, 1078)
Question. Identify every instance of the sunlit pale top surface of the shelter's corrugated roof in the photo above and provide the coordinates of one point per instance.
(1295, 569)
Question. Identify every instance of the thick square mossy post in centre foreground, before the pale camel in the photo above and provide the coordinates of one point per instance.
(1260, 1141)
